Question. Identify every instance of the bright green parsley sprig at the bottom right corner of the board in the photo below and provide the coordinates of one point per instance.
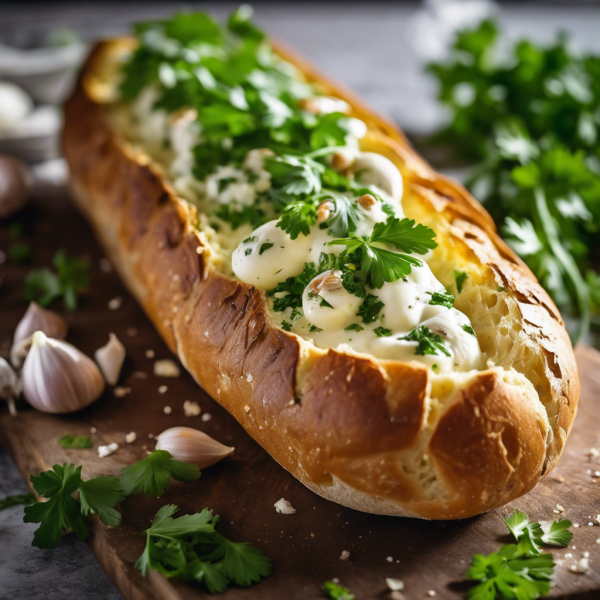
(518, 570)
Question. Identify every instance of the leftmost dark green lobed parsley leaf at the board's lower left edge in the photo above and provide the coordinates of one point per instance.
(61, 512)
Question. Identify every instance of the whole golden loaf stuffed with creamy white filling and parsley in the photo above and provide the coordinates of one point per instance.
(353, 310)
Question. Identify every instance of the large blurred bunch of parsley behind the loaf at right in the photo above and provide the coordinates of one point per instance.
(531, 119)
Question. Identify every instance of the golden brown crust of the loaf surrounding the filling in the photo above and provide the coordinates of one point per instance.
(380, 436)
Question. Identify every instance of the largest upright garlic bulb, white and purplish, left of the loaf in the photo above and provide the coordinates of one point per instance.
(58, 378)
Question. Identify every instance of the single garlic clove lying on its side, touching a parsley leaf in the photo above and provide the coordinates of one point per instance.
(193, 446)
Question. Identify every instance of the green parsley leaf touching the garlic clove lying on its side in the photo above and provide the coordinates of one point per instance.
(153, 474)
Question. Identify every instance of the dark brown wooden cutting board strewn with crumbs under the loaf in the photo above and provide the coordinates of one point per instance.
(305, 547)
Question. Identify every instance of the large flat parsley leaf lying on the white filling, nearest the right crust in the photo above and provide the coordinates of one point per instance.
(379, 265)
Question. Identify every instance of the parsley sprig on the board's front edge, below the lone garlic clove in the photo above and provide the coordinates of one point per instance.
(189, 547)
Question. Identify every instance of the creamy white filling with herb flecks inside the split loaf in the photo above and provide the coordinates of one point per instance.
(267, 256)
